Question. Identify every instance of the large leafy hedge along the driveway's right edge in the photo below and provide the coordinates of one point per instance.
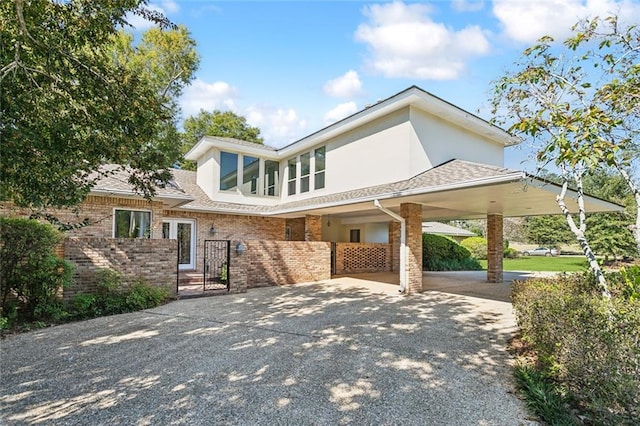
(586, 343)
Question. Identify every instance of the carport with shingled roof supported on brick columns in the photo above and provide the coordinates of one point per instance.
(453, 190)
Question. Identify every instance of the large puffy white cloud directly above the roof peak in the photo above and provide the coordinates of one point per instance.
(405, 42)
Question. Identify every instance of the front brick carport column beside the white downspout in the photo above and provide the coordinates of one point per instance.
(412, 214)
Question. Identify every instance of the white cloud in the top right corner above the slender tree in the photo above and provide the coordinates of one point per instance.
(527, 21)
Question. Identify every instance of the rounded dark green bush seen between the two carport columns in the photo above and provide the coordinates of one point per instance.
(441, 253)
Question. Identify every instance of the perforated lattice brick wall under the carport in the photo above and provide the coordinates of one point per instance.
(363, 257)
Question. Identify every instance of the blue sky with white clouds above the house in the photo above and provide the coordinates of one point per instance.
(293, 67)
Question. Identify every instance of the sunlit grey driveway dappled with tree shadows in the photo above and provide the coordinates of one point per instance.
(346, 351)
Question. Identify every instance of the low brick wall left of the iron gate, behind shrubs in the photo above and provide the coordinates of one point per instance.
(151, 260)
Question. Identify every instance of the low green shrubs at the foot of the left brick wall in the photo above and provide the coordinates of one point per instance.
(113, 296)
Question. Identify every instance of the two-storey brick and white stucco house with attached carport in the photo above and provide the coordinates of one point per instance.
(350, 197)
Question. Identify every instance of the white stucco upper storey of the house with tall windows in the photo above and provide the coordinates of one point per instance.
(391, 141)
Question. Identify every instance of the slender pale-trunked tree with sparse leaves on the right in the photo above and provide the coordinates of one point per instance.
(578, 104)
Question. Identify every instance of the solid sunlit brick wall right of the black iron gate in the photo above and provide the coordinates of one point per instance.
(286, 262)
